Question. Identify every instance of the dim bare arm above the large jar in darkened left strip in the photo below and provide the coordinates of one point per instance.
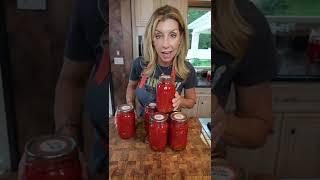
(69, 97)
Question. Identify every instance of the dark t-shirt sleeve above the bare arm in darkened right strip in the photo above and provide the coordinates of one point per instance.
(259, 63)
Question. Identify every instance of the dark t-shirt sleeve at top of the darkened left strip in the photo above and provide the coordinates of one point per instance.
(77, 47)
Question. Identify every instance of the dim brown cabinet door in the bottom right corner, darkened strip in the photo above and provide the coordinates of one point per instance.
(300, 146)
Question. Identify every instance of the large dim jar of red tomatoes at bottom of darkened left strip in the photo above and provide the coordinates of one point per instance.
(52, 158)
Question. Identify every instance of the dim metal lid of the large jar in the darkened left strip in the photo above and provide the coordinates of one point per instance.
(50, 147)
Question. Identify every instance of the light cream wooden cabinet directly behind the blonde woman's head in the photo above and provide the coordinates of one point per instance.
(142, 10)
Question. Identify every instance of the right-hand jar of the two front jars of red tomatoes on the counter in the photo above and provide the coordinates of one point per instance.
(178, 131)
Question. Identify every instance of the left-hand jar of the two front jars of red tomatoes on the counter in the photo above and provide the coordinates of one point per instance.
(158, 131)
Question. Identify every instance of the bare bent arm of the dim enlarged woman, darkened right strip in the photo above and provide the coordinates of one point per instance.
(250, 125)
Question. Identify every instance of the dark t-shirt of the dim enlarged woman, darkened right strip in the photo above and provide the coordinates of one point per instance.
(259, 62)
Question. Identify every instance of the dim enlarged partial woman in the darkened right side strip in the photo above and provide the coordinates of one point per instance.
(244, 56)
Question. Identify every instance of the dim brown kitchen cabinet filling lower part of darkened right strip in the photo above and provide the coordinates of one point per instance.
(292, 150)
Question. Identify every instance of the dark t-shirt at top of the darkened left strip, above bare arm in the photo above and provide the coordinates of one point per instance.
(87, 33)
